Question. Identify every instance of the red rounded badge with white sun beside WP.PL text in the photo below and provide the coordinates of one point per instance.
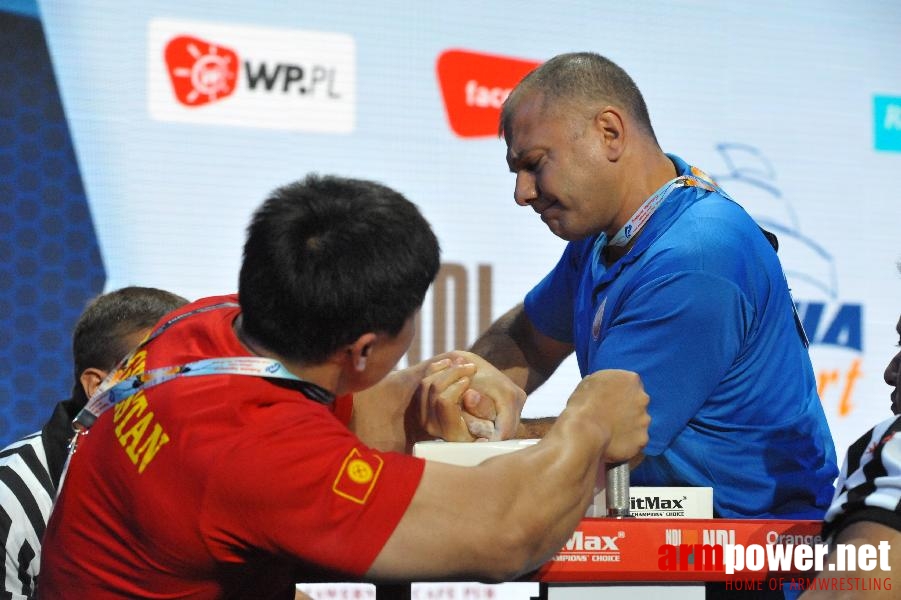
(201, 72)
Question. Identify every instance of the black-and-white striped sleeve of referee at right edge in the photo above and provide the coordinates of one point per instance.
(869, 485)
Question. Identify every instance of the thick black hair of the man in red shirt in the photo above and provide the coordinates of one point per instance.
(328, 259)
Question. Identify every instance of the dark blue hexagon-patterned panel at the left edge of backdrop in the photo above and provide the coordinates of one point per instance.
(50, 263)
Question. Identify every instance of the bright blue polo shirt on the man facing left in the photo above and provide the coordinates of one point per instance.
(699, 307)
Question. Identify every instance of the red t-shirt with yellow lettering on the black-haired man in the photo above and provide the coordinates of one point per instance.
(218, 486)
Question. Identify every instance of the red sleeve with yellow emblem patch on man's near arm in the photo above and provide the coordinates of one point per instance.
(308, 488)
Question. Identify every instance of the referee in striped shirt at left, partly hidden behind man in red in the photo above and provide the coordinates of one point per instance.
(108, 329)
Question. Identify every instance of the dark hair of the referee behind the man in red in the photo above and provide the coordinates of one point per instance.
(99, 339)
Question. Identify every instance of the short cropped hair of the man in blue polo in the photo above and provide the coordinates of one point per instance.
(583, 77)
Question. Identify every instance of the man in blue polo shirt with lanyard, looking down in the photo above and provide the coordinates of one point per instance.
(664, 275)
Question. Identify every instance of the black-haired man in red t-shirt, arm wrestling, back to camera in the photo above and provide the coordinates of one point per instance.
(252, 441)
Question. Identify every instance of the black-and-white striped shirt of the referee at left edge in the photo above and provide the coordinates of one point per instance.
(26, 497)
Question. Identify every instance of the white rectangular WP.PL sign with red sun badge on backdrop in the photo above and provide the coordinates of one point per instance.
(251, 76)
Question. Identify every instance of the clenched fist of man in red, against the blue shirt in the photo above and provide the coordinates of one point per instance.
(617, 402)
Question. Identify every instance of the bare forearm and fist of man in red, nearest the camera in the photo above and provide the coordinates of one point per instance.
(512, 512)
